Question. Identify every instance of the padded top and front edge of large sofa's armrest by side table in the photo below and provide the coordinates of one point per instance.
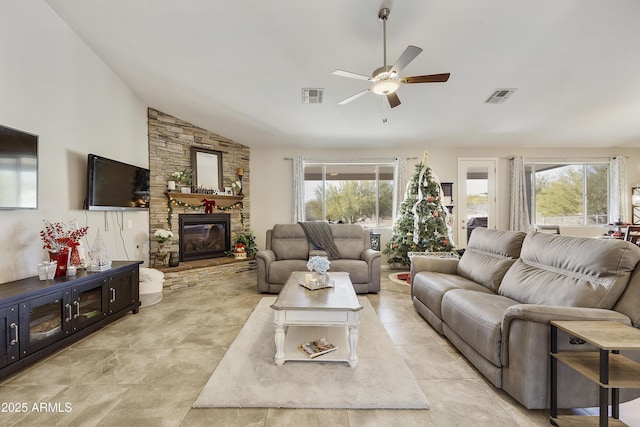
(546, 313)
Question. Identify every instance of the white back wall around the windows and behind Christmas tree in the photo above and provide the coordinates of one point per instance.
(271, 185)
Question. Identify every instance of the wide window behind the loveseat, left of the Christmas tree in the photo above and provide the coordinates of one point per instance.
(355, 193)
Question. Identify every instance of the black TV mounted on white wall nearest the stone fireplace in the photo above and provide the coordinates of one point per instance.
(115, 185)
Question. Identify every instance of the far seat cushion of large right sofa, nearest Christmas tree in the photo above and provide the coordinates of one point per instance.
(429, 288)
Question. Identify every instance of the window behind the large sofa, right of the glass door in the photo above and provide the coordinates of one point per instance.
(568, 194)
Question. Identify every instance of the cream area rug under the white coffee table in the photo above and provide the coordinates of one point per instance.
(247, 375)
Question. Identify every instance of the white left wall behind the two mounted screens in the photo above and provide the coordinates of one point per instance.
(53, 85)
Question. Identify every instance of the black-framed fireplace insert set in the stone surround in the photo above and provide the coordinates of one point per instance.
(204, 236)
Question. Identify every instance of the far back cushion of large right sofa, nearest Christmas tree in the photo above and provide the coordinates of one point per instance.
(489, 254)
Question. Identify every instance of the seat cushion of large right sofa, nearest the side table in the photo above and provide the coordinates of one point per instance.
(476, 317)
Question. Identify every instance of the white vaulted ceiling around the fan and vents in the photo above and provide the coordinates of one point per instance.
(237, 68)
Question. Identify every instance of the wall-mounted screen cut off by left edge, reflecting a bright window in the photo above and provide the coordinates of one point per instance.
(18, 169)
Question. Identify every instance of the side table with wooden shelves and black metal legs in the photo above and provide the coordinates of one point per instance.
(606, 367)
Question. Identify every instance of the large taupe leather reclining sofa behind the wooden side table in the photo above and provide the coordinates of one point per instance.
(494, 305)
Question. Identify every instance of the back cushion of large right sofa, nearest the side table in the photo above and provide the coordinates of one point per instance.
(570, 271)
